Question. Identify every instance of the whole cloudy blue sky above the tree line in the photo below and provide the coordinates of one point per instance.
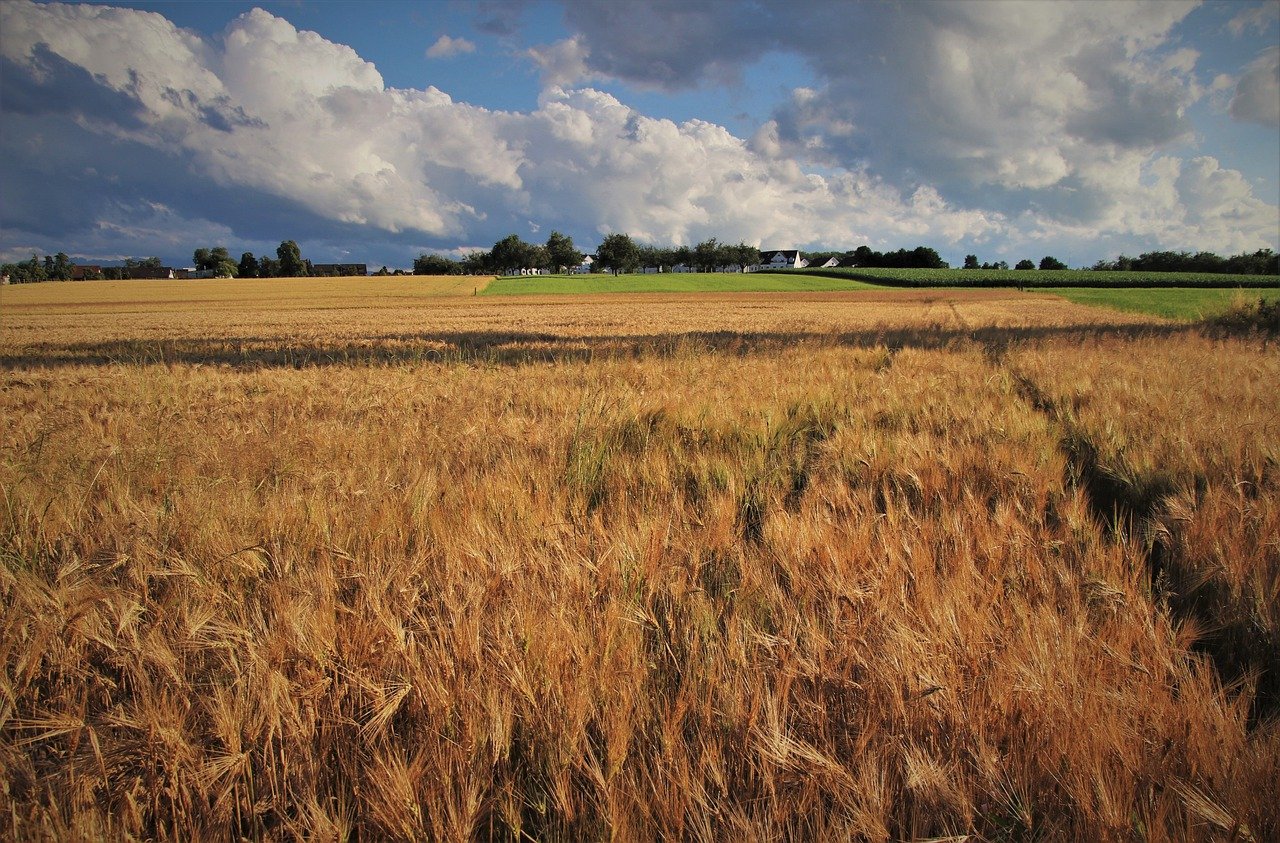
(376, 132)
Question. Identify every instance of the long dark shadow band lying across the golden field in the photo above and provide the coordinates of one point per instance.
(514, 349)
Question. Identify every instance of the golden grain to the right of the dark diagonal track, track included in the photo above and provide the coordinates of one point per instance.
(1186, 437)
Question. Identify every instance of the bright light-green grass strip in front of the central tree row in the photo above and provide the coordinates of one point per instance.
(671, 283)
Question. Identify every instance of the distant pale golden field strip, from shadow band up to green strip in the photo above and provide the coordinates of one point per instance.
(345, 320)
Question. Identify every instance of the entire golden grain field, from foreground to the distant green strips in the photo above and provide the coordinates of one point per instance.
(880, 566)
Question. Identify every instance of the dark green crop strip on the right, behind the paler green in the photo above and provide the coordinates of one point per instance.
(1041, 278)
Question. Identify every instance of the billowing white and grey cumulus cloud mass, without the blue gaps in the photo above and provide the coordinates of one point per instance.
(963, 123)
